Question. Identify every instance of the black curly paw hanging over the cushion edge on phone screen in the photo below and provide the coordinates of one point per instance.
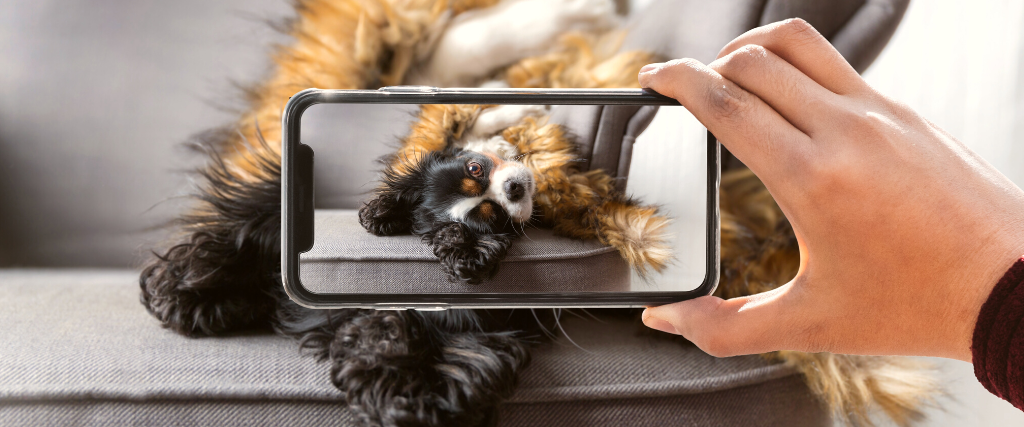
(466, 257)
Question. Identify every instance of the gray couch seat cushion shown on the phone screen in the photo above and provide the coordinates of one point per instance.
(346, 259)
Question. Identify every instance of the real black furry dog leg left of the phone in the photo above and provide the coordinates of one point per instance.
(220, 273)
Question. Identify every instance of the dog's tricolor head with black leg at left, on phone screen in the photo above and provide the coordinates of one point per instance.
(483, 191)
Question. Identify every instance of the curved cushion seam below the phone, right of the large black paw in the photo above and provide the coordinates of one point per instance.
(653, 390)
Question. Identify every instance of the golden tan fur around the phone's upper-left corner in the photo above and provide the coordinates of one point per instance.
(338, 45)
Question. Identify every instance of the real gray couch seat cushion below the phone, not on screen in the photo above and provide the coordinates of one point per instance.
(79, 350)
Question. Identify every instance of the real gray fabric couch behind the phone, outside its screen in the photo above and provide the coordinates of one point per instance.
(94, 103)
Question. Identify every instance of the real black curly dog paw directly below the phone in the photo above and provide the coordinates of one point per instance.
(411, 369)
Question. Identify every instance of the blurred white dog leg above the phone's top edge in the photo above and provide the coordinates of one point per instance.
(480, 42)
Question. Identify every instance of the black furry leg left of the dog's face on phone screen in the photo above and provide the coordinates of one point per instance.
(391, 212)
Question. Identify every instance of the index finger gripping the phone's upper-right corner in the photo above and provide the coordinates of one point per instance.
(752, 131)
